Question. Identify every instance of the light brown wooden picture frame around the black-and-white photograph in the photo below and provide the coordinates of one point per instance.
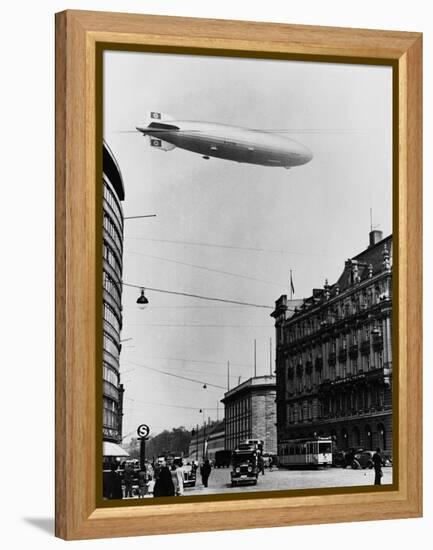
(79, 35)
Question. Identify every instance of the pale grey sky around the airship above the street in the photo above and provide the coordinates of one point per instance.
(230, 230)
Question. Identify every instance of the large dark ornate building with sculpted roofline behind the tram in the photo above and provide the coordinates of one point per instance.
(334, 356)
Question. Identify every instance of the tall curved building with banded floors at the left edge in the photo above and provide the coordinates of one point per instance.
(113, 195)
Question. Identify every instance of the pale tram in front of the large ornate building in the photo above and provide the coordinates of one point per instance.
(305, 453)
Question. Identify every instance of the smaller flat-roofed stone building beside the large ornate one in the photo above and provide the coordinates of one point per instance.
(250, 413)
